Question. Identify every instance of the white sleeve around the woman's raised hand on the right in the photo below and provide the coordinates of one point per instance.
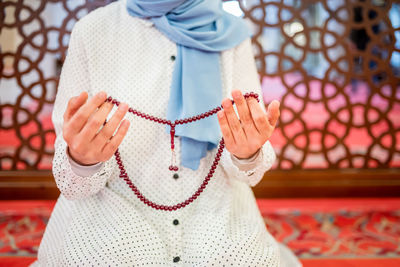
(245, 78)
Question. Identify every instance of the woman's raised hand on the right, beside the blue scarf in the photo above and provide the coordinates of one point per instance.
(245, 137)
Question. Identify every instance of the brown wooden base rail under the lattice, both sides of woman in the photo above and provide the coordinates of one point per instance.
(276, 184)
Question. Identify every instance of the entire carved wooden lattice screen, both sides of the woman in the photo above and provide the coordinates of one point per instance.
(334, 64)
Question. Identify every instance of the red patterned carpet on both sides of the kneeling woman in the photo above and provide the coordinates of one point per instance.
(322, 232)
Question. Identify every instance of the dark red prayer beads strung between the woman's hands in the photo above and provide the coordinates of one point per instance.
(123, 174)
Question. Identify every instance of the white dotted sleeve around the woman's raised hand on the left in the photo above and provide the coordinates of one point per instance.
(74, 79)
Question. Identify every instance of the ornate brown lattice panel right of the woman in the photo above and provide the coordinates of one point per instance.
(335, 66)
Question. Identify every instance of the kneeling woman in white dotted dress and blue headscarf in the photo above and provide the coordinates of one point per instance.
(173, 60)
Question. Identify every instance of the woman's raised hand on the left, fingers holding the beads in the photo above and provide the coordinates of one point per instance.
(83, 119)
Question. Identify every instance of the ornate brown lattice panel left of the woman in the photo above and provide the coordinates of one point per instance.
(34, 40)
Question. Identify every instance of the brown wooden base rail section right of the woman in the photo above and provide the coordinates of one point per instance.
(330, 183)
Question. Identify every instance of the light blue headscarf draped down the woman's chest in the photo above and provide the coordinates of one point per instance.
(201, 29)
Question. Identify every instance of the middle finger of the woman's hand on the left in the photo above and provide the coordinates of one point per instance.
(91, 128)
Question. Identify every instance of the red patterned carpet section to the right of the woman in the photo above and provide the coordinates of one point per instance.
(336, 228)
